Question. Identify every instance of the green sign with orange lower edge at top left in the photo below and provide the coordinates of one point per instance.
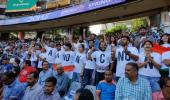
(21, 5)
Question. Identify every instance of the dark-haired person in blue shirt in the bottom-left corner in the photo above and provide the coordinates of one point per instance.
(13, 89)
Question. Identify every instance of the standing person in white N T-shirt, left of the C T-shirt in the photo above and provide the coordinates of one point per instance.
(79, 63)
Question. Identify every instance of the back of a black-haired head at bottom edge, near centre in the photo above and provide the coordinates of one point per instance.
(84, 94)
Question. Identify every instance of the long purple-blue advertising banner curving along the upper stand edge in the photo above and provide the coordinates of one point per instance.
(82, 8)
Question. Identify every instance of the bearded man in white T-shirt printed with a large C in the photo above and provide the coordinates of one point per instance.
(102, 61)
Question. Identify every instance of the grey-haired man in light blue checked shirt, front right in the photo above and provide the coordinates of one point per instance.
(133, 87)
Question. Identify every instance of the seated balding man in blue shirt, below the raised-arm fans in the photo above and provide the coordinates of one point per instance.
(62, 81)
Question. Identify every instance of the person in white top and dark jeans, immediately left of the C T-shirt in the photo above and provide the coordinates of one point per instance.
(90, 66)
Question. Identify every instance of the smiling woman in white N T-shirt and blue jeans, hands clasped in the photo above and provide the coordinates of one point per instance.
(149, 65)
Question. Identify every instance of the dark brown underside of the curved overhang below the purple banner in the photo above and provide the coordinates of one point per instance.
(138, 8)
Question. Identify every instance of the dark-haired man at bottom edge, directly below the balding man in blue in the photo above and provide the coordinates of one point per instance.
(50, 92)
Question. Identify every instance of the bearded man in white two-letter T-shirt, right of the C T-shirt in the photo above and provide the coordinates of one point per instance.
(124, 54)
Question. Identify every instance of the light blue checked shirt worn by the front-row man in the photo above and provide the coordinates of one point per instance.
(140, 90)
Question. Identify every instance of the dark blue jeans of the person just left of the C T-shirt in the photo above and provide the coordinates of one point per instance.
(87, 80)
